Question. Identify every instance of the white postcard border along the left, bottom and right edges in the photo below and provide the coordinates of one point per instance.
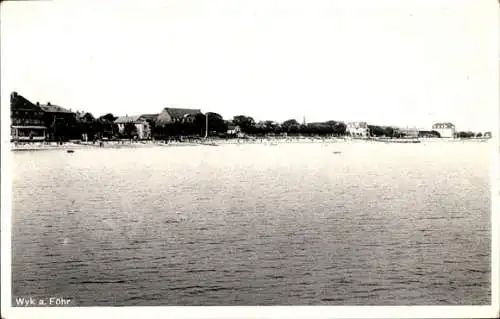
(9, 312)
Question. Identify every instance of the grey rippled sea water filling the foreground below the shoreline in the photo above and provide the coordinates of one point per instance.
(382, 224)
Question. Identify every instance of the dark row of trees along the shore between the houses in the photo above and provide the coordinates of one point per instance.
(91, 128)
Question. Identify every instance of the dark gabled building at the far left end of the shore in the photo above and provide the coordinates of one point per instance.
(27, 120)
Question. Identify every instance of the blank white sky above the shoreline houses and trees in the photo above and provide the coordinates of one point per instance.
(398, 62)
